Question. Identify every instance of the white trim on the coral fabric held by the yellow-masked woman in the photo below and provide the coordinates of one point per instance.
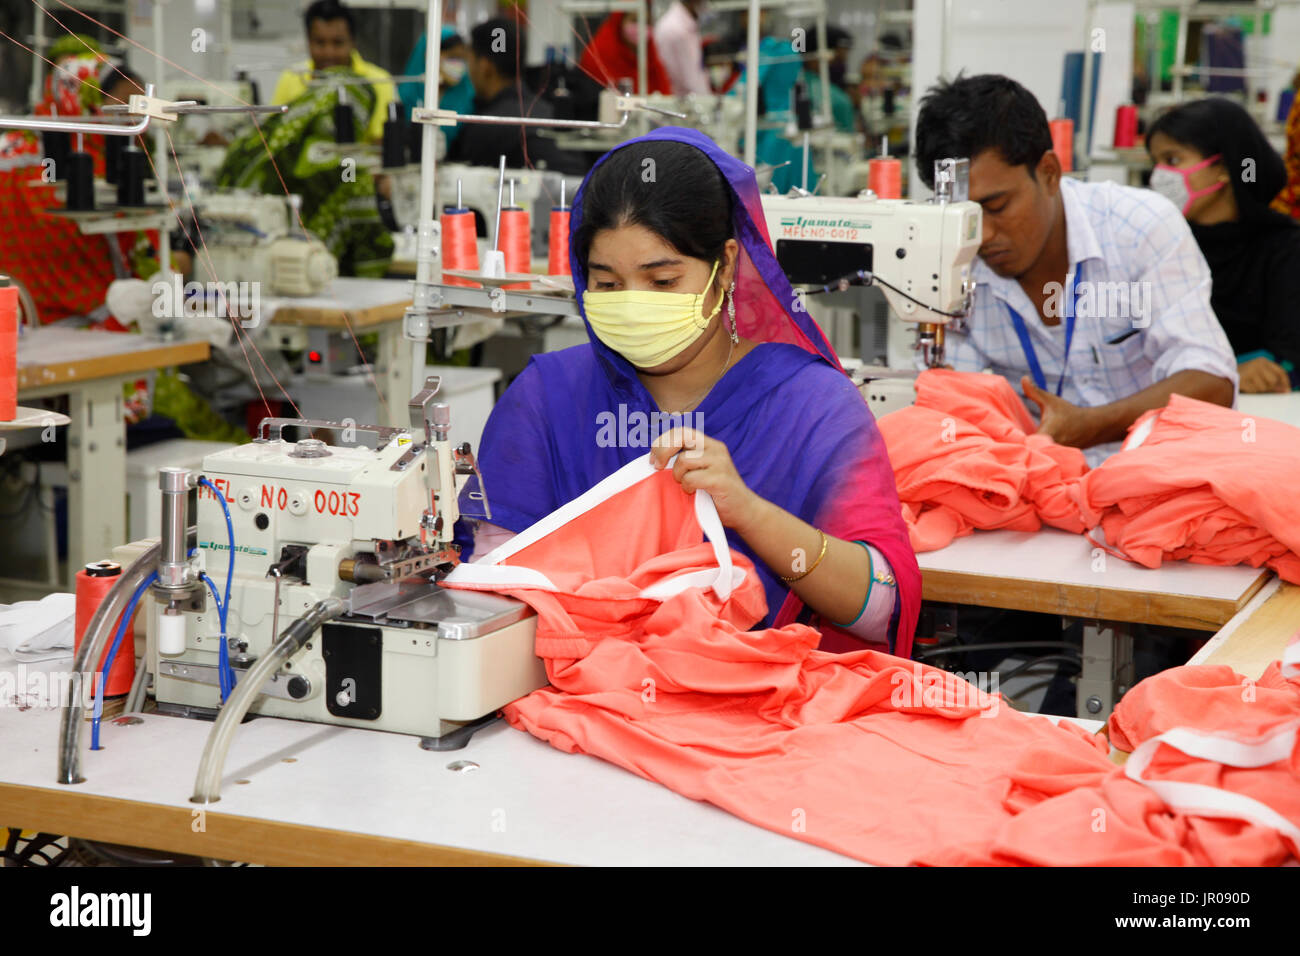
(488, 572)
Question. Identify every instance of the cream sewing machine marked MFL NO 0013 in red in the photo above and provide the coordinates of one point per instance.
(369, 525)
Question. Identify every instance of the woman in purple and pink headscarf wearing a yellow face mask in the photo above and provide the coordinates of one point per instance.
(700, 345)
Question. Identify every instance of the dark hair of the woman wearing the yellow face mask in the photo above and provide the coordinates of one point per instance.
(687, 201)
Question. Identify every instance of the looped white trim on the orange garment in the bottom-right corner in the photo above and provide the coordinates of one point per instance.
(1198, 799)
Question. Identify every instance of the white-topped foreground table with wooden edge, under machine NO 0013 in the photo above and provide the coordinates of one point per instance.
(322, 795)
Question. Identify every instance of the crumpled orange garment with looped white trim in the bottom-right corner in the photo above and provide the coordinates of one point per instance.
(1212, 780)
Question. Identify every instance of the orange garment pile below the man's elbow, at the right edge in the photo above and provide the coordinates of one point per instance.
(1207, 485)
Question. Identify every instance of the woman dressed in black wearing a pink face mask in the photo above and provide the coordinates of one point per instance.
(1216, 166)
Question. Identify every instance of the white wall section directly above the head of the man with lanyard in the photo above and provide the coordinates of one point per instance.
(1028, 41)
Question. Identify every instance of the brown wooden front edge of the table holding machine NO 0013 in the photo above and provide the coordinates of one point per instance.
(68, 812)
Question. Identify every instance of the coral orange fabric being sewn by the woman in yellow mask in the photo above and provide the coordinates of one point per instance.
(865, 754)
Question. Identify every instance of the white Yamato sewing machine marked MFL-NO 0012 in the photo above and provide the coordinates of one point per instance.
(921, 256)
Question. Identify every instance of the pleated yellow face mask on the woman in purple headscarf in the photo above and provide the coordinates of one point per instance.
(649, 328)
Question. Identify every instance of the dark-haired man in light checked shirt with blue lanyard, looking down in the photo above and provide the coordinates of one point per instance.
(1093, 299)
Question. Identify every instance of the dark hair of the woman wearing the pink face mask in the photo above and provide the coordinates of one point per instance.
(1216, 126)
